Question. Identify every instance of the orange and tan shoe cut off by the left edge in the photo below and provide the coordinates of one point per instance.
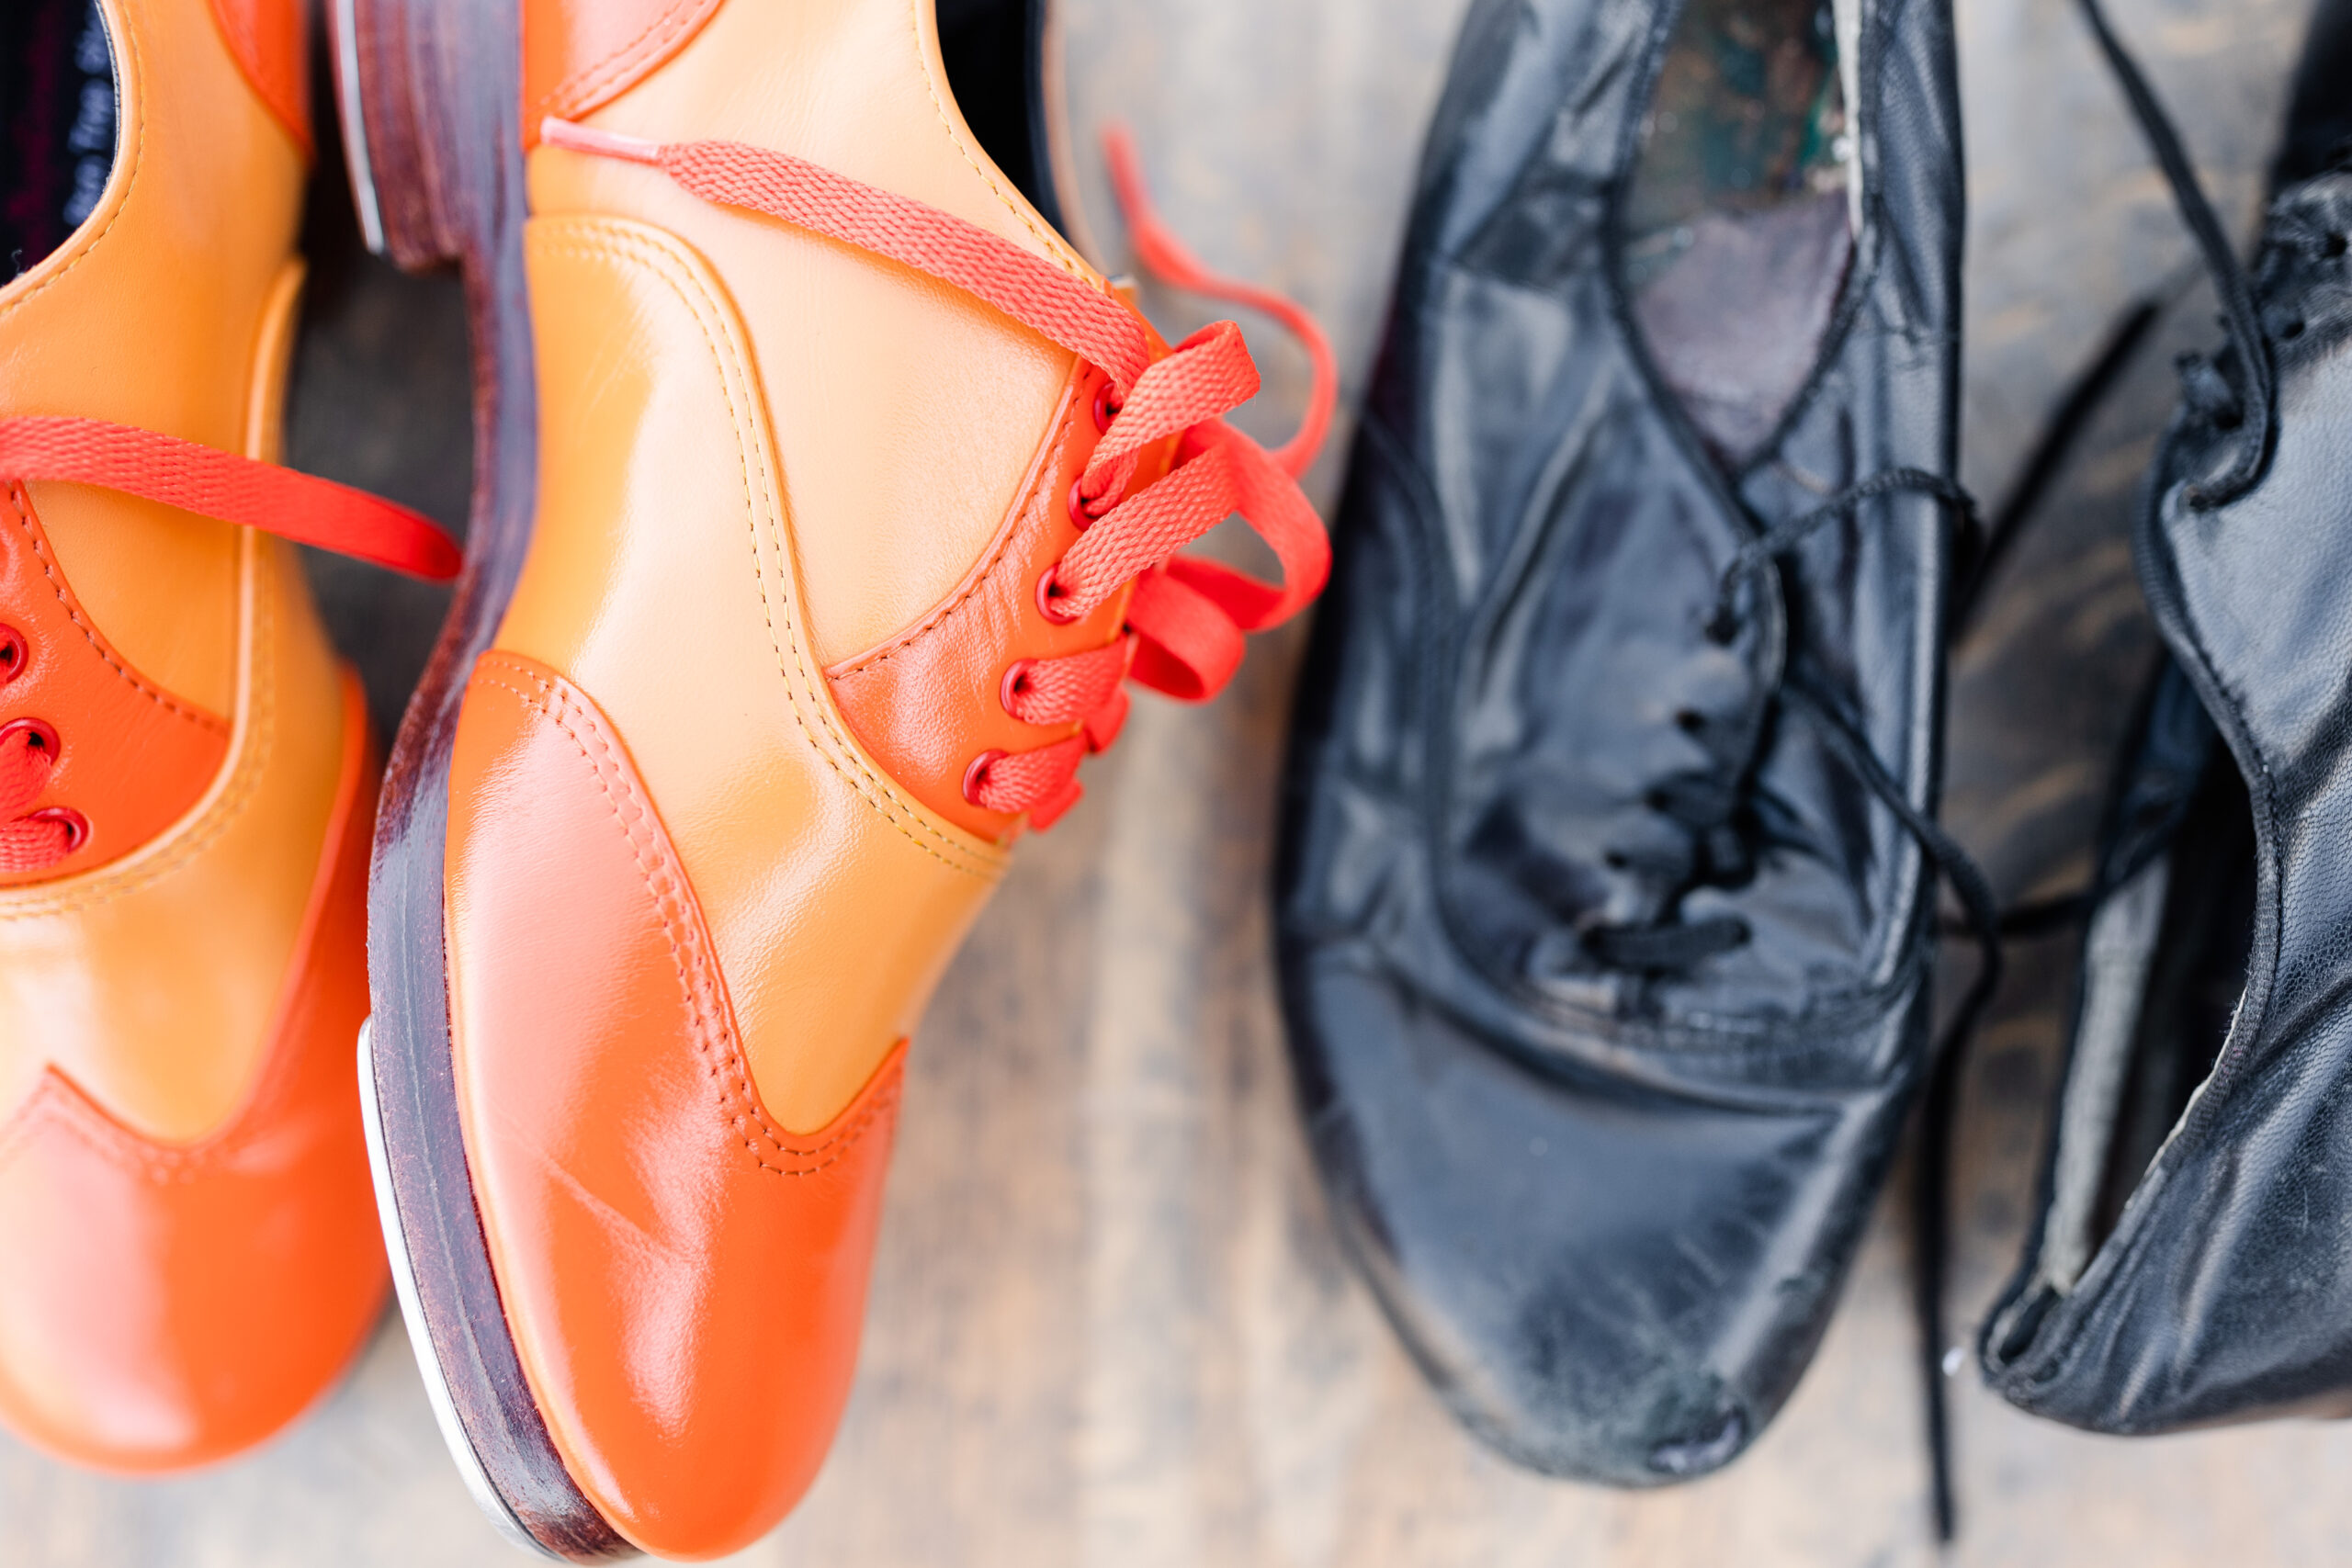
(185, 770)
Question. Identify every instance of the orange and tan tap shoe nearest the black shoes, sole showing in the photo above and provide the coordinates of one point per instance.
(827, 504)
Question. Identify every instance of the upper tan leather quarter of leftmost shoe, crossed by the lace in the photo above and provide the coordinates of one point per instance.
(154, 316)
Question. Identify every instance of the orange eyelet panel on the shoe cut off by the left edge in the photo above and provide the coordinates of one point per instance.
(133, 758)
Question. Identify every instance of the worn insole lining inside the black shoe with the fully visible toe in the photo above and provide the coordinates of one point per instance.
(1742, 210)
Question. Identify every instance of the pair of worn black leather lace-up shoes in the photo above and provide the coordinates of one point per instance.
(1610, 878)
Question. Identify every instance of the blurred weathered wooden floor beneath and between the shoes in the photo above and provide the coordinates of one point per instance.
(1109, 1322)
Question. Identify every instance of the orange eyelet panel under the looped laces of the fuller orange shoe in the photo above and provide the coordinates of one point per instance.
(930, 699)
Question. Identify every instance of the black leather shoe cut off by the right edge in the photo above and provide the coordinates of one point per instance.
(2193, 1261)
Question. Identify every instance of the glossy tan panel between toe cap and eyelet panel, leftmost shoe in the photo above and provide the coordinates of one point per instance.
(152, 981)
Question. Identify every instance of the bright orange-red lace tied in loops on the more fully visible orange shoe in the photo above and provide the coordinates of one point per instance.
(1187, 617)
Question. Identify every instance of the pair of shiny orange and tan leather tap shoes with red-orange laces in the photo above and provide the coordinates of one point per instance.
(829, 502)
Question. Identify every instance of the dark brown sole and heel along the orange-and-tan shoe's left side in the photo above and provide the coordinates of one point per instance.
(432, 102)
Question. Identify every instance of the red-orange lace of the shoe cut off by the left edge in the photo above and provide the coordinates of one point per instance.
(199, 481)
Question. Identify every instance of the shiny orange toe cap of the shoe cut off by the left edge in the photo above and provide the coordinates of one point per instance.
(166, 1306)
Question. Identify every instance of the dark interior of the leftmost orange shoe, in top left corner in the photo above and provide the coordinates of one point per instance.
(58, 107)
